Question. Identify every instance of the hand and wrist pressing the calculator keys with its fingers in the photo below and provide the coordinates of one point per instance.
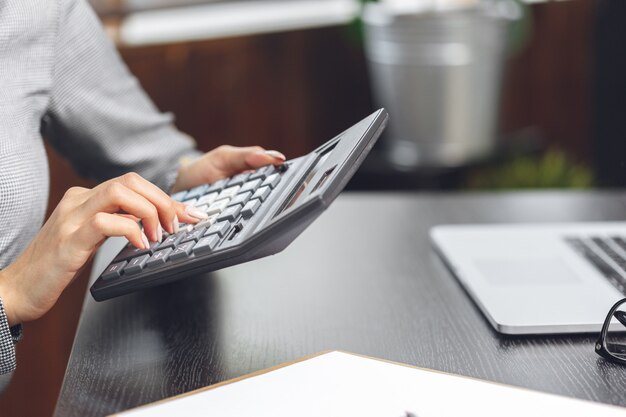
(31, 285)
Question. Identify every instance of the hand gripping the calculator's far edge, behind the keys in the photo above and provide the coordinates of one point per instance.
(224, 161)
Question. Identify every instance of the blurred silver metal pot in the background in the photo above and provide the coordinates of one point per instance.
(438, 73)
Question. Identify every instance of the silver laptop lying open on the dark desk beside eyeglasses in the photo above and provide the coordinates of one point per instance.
(538, 278)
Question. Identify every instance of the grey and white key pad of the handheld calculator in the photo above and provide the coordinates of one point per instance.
(229, 203)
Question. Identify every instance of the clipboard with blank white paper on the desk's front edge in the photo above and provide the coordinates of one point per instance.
(335, 383)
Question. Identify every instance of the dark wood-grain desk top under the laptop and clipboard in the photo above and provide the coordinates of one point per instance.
(364, 279)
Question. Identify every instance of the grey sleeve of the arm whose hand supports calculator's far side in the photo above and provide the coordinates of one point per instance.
(99, 117)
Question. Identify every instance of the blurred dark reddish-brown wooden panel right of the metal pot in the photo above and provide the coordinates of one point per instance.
(548, 84)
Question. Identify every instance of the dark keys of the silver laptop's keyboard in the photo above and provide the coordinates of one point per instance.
(607, 254)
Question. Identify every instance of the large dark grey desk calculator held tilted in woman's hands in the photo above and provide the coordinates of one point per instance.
(251, 215)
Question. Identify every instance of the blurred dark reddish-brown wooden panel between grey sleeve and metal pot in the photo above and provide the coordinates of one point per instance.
(289, 91)
